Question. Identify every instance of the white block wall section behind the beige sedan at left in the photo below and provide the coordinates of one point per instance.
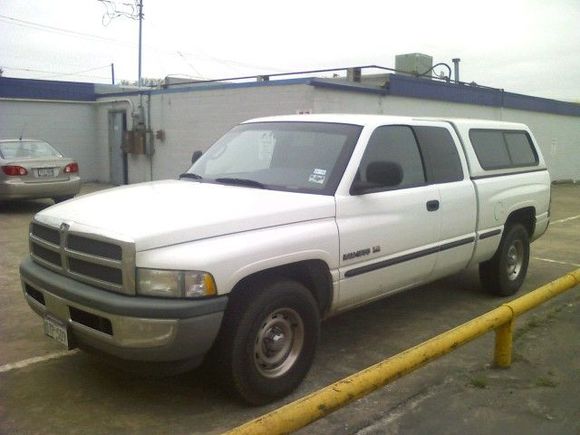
(70, 126)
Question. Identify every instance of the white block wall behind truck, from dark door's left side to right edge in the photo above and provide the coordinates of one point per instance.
(195, 119)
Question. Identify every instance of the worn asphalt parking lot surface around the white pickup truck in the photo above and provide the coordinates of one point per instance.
(44, 389)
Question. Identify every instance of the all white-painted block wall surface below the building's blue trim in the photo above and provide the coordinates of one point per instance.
(194, 119)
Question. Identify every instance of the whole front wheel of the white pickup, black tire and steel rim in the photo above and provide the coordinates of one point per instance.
(268, 340)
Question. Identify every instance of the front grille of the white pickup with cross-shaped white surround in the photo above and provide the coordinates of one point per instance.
(86, 257)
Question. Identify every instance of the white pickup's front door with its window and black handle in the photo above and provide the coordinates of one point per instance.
(389, 233)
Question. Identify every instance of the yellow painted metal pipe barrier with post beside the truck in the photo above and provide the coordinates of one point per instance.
(316, 405)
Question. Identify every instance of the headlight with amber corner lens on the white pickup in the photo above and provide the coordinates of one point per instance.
(175, 283)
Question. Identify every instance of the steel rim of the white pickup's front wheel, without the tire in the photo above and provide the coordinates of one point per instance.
(278, 343)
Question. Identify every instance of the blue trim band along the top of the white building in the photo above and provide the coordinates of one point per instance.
(397, 85)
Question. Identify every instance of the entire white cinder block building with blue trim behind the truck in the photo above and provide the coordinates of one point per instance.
(91, 124)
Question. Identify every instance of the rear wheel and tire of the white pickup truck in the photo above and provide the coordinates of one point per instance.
(505, 272)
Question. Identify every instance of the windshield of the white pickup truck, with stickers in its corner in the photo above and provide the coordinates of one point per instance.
(295, 156)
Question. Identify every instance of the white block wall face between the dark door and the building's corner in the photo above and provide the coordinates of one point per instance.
(195, 120)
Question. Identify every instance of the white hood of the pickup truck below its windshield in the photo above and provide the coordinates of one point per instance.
(164, 213)
